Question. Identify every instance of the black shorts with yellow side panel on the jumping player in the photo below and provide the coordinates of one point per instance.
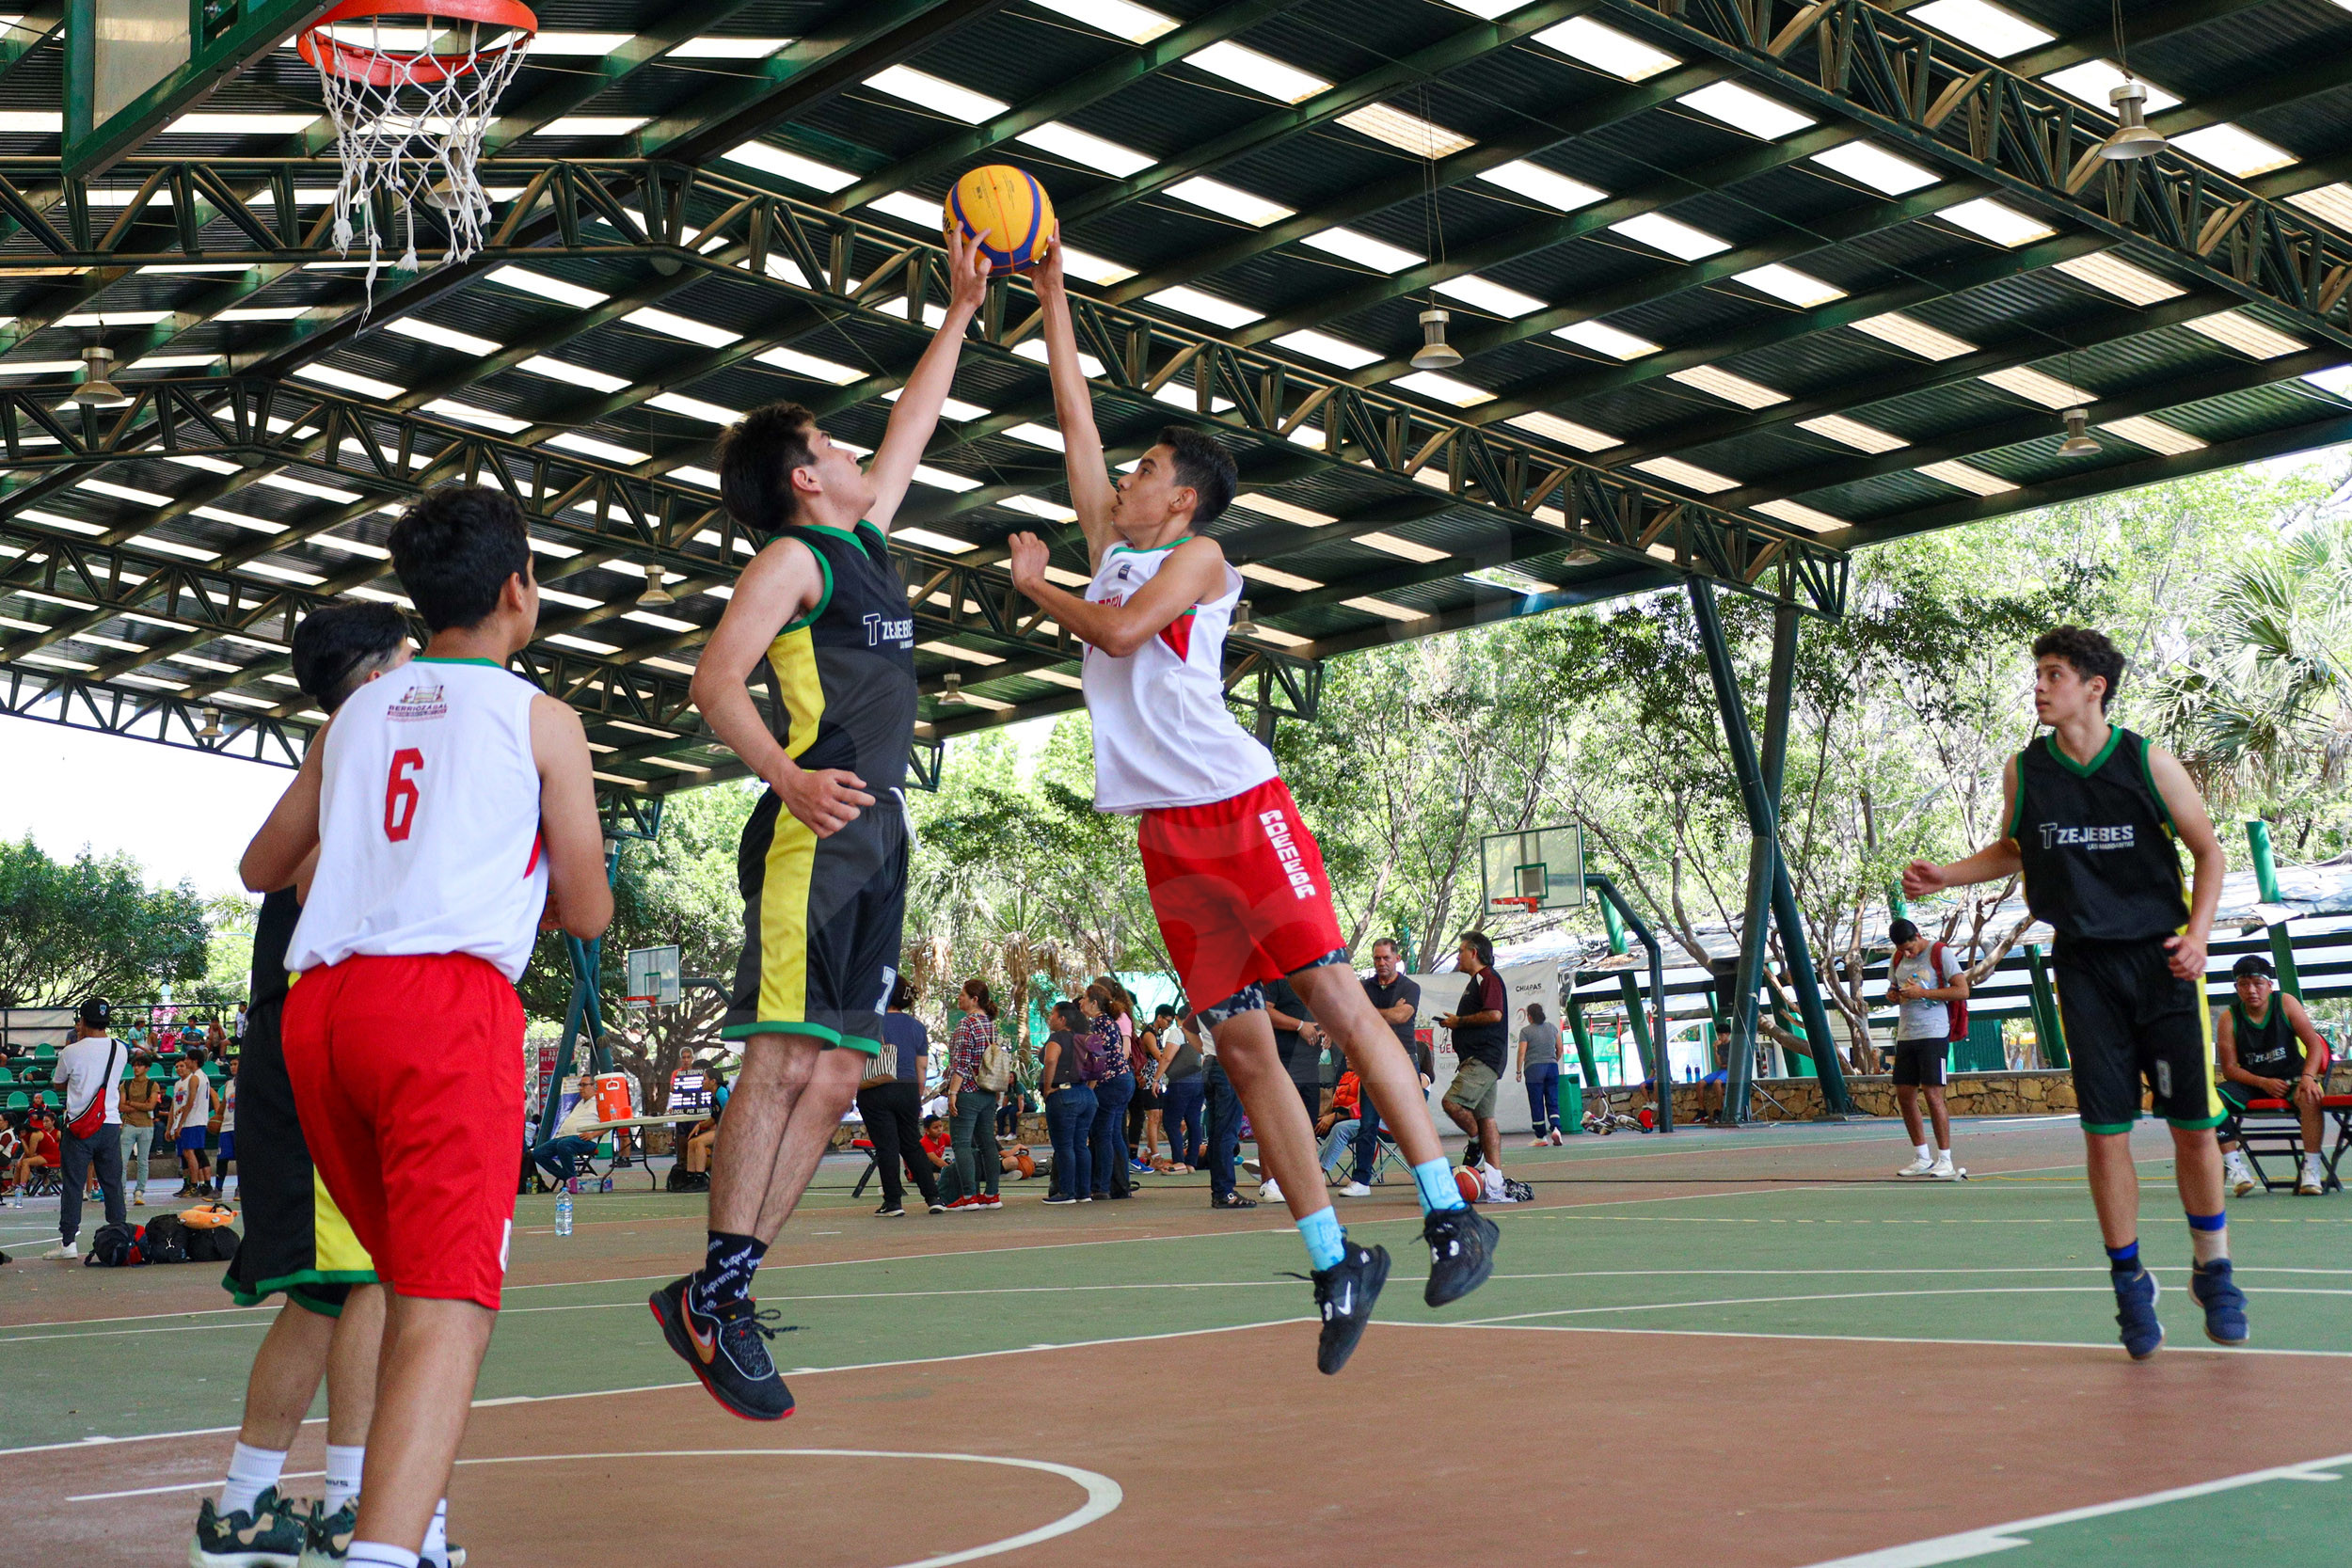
(822, 925)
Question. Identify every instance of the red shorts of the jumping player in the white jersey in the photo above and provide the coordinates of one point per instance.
(1241, 892)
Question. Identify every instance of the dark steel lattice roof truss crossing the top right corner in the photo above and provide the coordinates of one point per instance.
(1970, 114)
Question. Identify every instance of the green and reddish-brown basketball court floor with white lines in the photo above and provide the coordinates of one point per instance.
(1744, 1348)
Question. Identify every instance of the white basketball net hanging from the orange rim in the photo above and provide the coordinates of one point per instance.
(417, 140)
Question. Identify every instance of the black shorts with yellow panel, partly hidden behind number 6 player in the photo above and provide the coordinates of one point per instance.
(295, 1238)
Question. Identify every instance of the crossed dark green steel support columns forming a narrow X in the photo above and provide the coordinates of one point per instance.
(1760, 800)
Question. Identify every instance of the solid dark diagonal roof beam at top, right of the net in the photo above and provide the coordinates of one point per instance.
(860, 39)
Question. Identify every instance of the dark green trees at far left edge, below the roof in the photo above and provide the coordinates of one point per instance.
(91, 927)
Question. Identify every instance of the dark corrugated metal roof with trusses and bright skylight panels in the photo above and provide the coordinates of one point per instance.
(1742, 286)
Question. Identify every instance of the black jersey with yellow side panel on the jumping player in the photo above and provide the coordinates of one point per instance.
(843, 676)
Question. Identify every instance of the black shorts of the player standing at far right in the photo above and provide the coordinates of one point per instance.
(2132, 1021)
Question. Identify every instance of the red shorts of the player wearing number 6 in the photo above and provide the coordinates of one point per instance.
(408, 1078)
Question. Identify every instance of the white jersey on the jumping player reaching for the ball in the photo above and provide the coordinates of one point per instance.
(1163, 735)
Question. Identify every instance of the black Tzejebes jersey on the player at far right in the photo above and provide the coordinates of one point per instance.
(2097, 843)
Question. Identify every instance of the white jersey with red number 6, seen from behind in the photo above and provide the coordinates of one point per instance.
(429, 822)
